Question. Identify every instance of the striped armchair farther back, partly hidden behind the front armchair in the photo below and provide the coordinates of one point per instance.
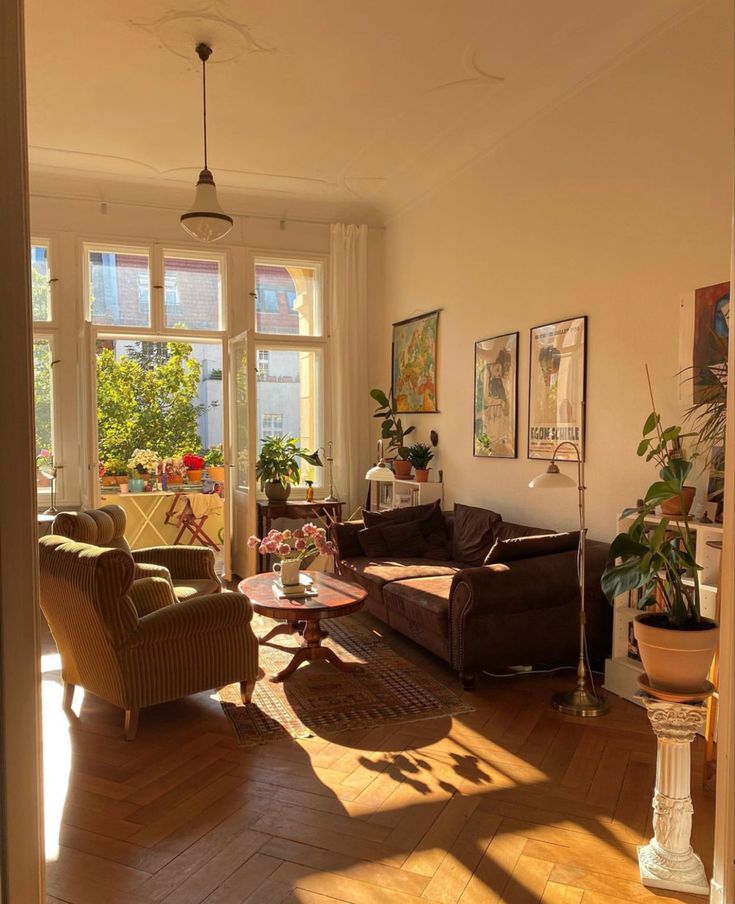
(190, 569)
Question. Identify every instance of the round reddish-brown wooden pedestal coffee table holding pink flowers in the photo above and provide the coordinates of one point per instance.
(303, 616)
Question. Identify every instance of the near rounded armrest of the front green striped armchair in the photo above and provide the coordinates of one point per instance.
(201, 615)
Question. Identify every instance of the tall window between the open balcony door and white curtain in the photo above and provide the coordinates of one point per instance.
(290, 353)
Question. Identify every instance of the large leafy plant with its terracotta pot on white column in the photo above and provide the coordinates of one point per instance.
(656, 557)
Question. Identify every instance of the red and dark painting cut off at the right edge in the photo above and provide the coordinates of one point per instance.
(711, 331)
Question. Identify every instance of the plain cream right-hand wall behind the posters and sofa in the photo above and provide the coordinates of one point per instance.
(612, 205)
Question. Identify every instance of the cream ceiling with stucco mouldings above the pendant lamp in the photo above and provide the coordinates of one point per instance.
(351, 107)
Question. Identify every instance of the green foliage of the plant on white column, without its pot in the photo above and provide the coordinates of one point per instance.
(658, 559)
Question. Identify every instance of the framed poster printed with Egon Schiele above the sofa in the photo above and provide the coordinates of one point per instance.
(556, 389)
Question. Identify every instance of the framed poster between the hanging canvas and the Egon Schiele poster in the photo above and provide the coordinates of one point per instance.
(496, 397)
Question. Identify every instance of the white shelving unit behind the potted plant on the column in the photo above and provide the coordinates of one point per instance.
(622, 669)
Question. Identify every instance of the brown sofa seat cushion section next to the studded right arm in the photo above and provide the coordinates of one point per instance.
(419, 609)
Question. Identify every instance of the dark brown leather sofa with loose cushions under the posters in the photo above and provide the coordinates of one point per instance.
(522, 608)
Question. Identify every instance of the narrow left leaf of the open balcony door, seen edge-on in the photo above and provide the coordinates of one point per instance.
(87, 388)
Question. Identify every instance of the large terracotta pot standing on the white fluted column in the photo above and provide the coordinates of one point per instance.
(676, 660)
